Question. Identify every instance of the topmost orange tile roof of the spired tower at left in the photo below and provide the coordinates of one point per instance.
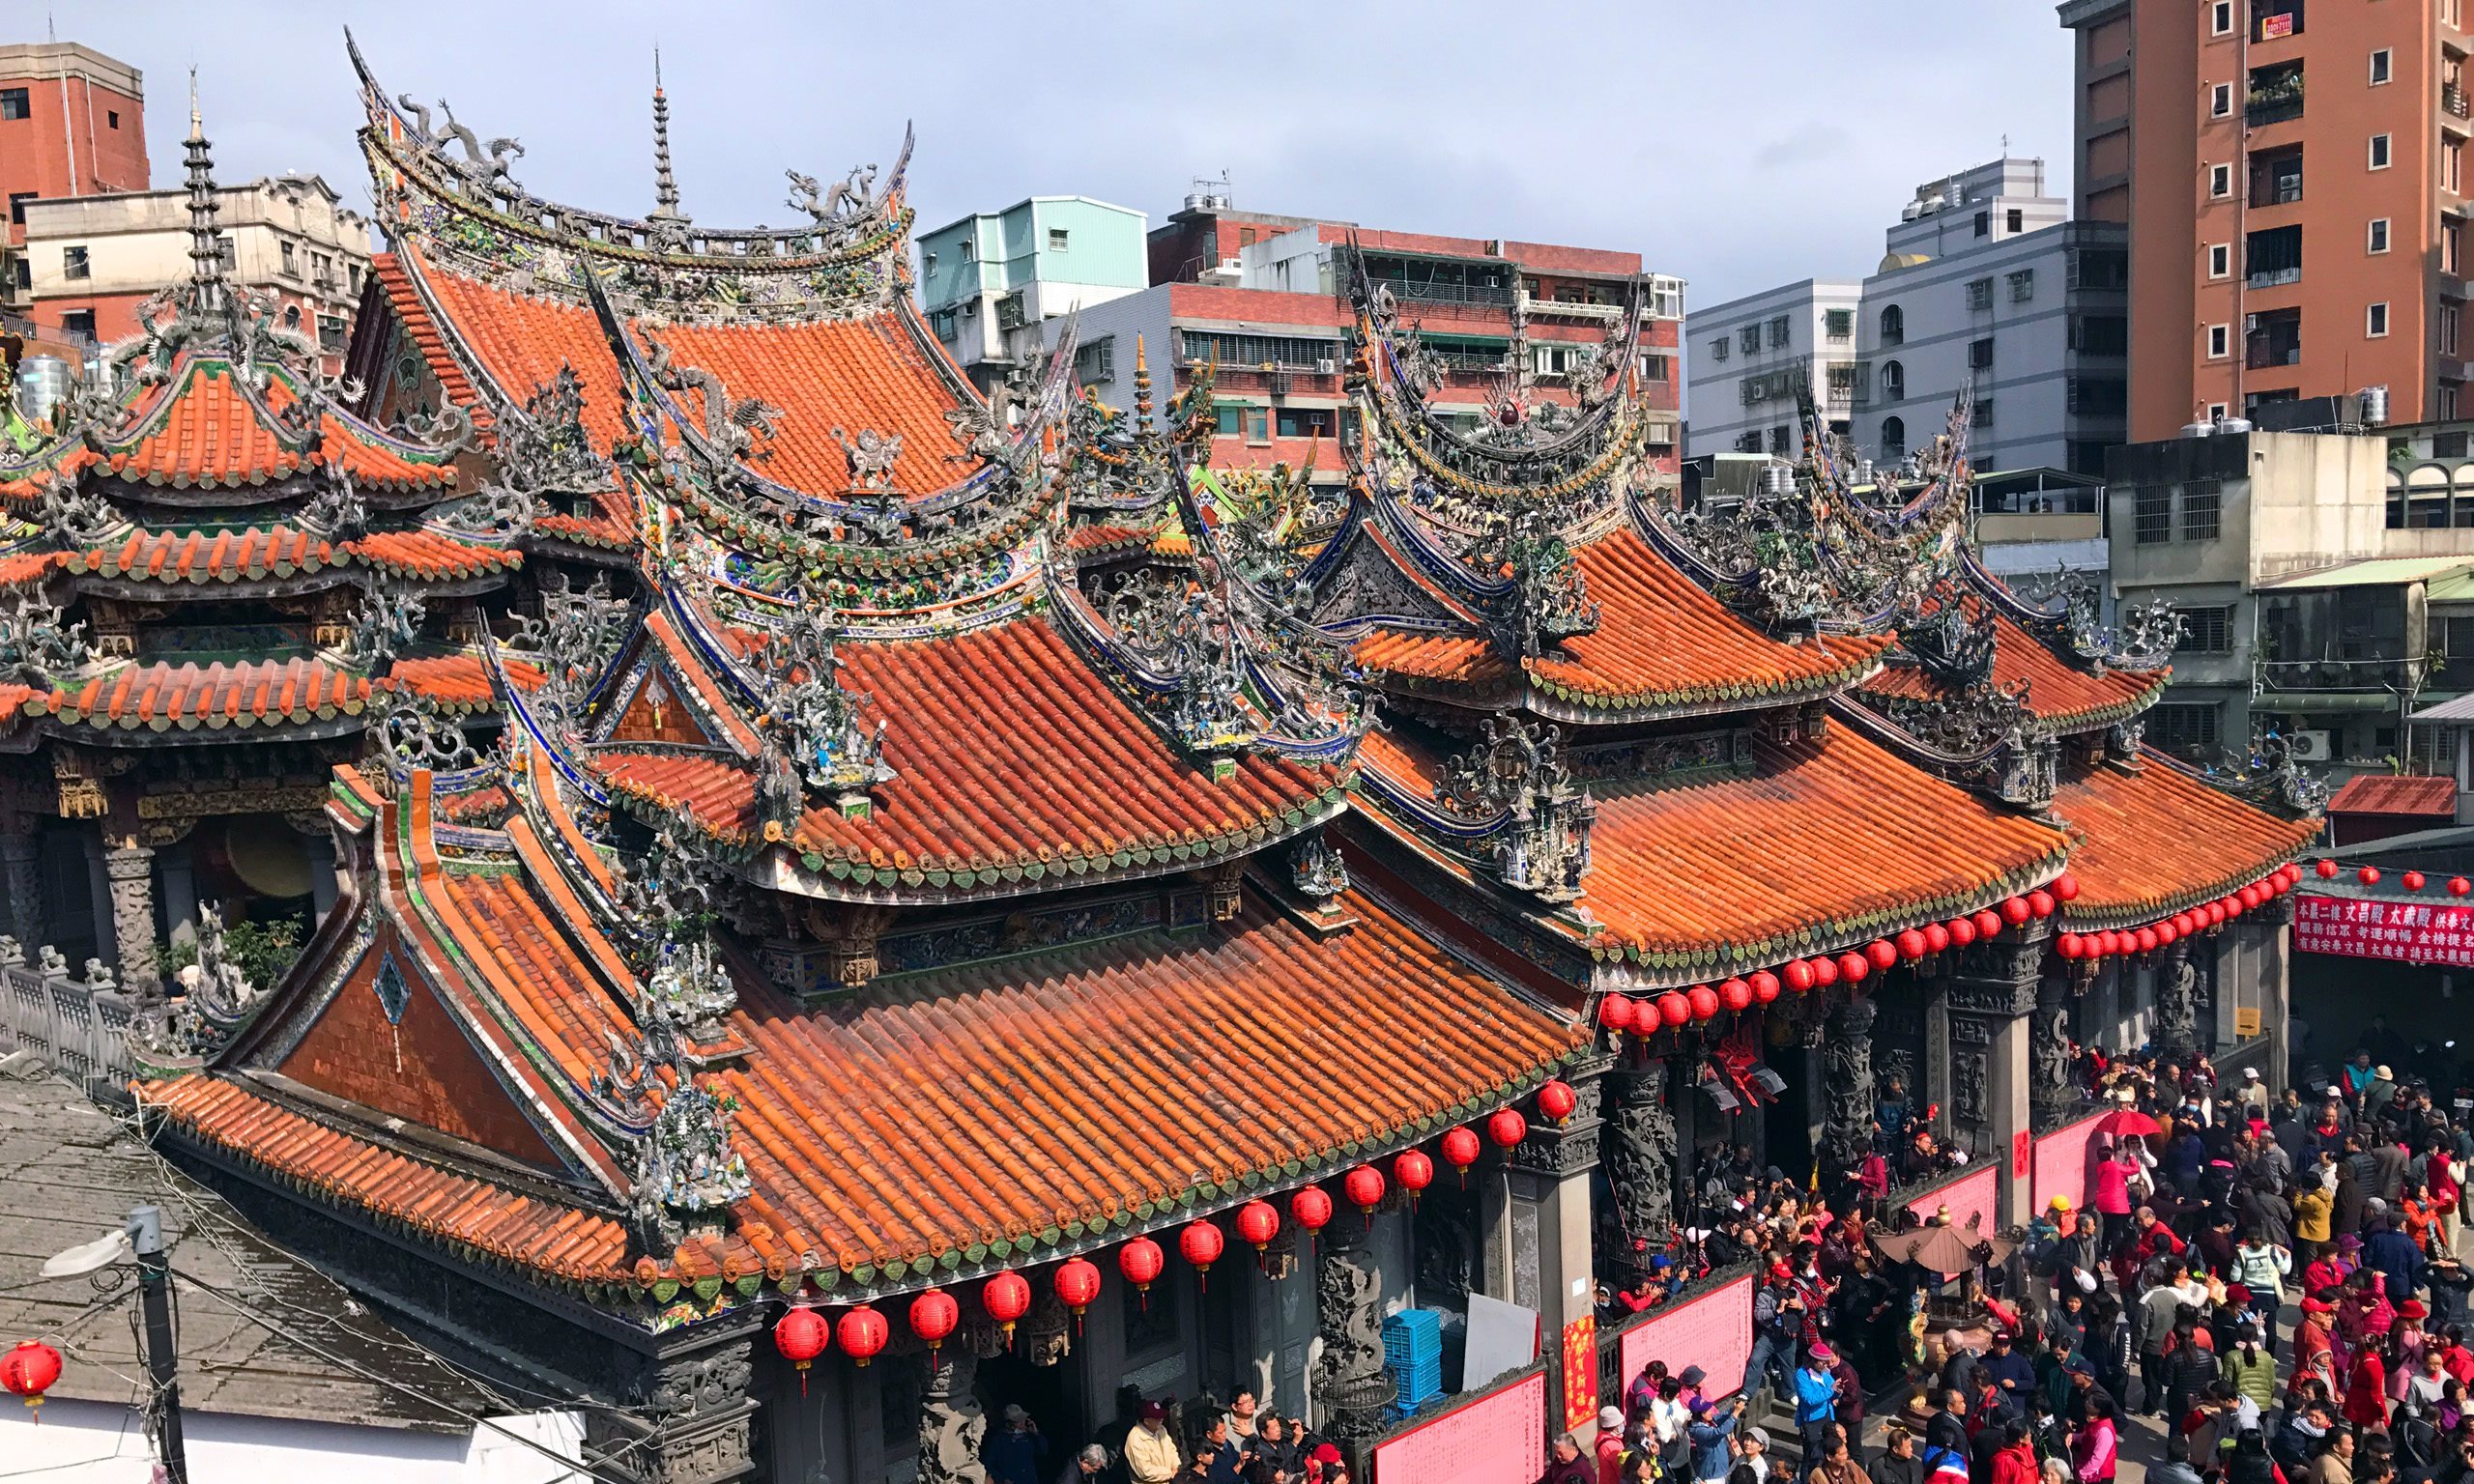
(212, 437)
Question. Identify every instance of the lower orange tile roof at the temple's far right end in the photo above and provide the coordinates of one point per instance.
(2154, 842)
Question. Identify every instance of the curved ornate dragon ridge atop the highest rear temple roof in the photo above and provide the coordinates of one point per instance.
(437, 179)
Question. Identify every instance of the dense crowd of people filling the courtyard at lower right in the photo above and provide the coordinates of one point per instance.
(2272, 1280)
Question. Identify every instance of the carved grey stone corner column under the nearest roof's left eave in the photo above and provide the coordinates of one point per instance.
(689, 1421)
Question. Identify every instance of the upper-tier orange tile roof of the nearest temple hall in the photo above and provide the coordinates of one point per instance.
(1008, 751)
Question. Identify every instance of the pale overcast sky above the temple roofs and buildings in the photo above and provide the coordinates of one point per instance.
(1736, 145)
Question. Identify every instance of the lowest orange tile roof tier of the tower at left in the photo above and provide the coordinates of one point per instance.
(212, 696)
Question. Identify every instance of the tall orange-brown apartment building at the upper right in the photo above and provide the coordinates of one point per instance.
(2295, 187)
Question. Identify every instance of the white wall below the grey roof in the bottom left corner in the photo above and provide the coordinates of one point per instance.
(95, 1443)
